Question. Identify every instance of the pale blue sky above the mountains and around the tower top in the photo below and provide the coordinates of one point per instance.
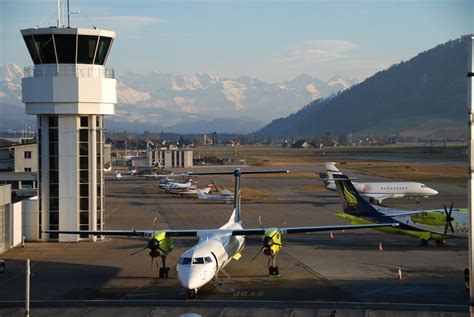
(269, 40)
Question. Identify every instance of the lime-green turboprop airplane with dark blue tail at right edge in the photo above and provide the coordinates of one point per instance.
(434, 224)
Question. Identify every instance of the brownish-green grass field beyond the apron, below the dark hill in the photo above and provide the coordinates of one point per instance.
(357, 158)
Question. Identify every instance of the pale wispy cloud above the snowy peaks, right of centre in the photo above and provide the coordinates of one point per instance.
(319, 51)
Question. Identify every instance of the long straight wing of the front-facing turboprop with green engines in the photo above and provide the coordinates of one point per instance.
(237, 232)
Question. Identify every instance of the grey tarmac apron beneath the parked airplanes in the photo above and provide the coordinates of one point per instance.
(345, 275)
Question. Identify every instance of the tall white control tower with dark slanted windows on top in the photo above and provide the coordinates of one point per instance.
(69, 89)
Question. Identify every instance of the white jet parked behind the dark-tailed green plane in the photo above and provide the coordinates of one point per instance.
(378, 191)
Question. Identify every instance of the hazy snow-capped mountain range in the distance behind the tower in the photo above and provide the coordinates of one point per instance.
(160, 101)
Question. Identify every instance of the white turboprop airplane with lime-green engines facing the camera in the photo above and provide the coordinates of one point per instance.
(216, 247)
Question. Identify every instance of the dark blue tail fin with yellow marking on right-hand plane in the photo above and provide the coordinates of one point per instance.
(352, 201)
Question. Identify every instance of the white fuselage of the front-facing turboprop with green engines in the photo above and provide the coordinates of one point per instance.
(200, 264)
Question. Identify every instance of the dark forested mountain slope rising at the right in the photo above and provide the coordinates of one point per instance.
(423, 97)
